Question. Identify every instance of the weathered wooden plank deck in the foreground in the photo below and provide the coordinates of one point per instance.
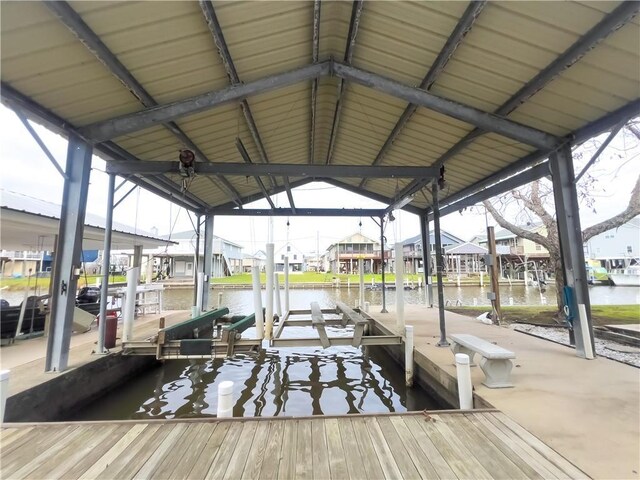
(482, 444)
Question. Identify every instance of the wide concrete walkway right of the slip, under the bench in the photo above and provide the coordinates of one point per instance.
(587, 410)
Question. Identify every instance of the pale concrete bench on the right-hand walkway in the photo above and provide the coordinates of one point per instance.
(496, 361)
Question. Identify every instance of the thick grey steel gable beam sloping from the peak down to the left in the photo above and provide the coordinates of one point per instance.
(130, 123)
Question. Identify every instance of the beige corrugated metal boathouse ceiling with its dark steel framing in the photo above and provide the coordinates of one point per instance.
(483, 89)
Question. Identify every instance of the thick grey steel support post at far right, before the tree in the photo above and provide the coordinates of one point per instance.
(570, 236)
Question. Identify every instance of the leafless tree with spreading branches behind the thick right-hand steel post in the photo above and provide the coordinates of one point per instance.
(535, 199)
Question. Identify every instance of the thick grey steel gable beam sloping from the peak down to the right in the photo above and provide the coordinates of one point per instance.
(485, 120)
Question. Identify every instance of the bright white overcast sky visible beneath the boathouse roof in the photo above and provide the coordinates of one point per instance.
(25, 169)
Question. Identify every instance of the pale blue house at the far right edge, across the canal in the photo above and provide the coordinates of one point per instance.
(616, 248)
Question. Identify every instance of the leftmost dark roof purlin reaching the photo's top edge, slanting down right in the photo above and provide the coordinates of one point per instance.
(77, 26)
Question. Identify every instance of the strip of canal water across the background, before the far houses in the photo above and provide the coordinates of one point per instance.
(241, 301)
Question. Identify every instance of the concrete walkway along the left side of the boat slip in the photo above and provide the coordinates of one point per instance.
(26, 358)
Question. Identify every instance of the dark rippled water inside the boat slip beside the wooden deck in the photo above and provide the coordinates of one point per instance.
(288, 381)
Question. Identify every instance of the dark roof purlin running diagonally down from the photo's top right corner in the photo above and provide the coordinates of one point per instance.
(609, 24)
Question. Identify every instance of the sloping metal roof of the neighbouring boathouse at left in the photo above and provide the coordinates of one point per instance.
(32, 224)
